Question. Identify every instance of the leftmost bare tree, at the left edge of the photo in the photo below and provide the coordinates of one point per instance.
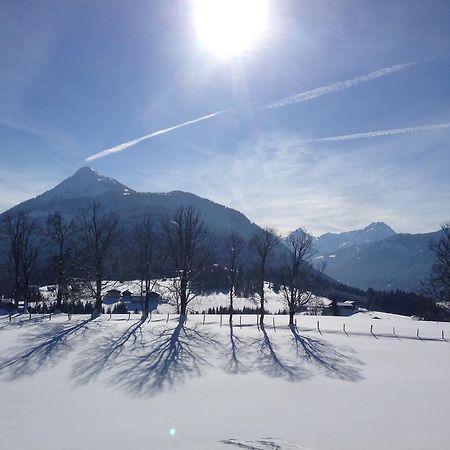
(19, 231)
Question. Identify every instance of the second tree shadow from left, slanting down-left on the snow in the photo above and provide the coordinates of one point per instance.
(102, 355)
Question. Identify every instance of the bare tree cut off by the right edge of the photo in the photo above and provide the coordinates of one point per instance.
(439, 282)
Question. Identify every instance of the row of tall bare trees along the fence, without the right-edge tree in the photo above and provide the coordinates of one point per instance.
(84, 248)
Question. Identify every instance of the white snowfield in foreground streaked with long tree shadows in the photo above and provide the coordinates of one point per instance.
(119, 384)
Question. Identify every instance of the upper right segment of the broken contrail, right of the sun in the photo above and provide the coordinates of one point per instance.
(338, 86)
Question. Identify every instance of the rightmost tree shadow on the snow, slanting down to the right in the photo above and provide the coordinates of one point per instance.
(326, 357)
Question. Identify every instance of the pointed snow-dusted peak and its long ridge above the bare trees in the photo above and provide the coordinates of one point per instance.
(77, 191)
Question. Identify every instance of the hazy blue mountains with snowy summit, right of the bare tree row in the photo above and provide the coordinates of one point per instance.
(376, 257)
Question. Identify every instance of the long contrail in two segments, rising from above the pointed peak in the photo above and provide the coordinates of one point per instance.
(297, 98)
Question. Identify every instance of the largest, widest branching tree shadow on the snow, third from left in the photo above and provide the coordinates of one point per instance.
(172, 356)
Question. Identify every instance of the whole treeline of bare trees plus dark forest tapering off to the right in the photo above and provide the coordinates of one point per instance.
(82, 254)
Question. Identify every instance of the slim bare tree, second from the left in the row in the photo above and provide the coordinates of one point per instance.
(60, 232)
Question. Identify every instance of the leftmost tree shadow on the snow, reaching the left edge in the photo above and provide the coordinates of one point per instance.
(40, 348)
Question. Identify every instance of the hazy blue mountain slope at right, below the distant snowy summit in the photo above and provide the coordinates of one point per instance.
(400, 261)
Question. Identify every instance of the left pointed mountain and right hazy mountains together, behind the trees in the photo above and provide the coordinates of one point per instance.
(375, 256)
